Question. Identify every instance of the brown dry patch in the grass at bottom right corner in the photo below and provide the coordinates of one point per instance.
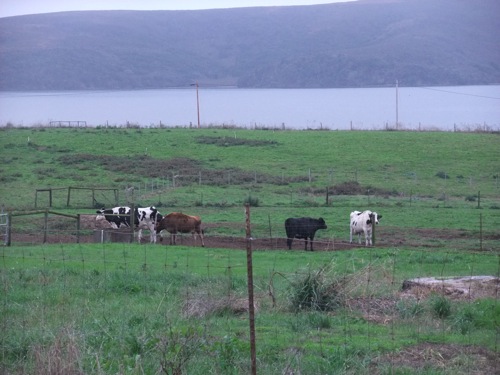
(451, 358)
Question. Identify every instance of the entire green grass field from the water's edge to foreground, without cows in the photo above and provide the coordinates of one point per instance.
(148, 309)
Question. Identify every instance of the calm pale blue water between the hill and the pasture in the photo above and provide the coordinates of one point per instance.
(425, 108)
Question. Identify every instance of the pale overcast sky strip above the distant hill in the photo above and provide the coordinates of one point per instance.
(19, 7)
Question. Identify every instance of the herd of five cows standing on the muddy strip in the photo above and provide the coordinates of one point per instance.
(305, 228)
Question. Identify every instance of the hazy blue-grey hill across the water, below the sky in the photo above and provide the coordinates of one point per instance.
(355, 44)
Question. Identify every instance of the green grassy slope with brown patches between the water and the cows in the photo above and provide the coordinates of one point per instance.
(226, 165)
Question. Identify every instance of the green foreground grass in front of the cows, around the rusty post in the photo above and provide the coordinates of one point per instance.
(109, 308)
